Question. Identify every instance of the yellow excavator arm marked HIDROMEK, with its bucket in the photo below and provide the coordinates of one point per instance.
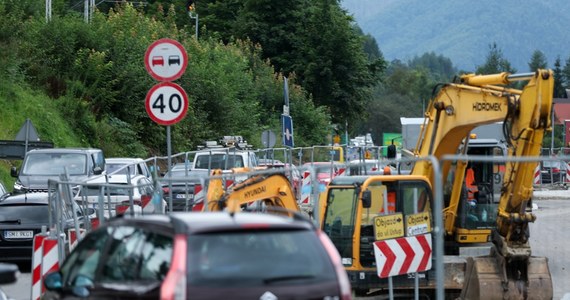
(456, 110)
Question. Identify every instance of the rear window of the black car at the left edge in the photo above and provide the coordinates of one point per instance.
(24, 214)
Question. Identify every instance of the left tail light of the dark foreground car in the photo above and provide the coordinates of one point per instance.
(174, 285)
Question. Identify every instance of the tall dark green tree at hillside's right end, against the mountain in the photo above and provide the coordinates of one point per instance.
(332, 65)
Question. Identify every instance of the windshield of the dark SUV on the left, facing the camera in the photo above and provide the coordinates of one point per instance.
(54, 164)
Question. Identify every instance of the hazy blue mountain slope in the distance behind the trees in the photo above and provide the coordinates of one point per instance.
(464, 30)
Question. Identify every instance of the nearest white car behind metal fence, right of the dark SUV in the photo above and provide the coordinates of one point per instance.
(113, 194)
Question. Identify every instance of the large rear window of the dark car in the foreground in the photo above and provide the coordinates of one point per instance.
(257, 258)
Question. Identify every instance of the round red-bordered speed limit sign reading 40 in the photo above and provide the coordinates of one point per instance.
(166, 103)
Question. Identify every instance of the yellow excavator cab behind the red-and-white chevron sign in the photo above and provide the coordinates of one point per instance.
(356, 211)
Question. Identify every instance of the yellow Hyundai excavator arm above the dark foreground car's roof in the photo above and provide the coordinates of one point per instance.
(269, 190)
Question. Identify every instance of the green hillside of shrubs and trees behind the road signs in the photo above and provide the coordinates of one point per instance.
(84, 83)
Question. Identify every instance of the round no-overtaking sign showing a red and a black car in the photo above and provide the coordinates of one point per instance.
(165, 60)
